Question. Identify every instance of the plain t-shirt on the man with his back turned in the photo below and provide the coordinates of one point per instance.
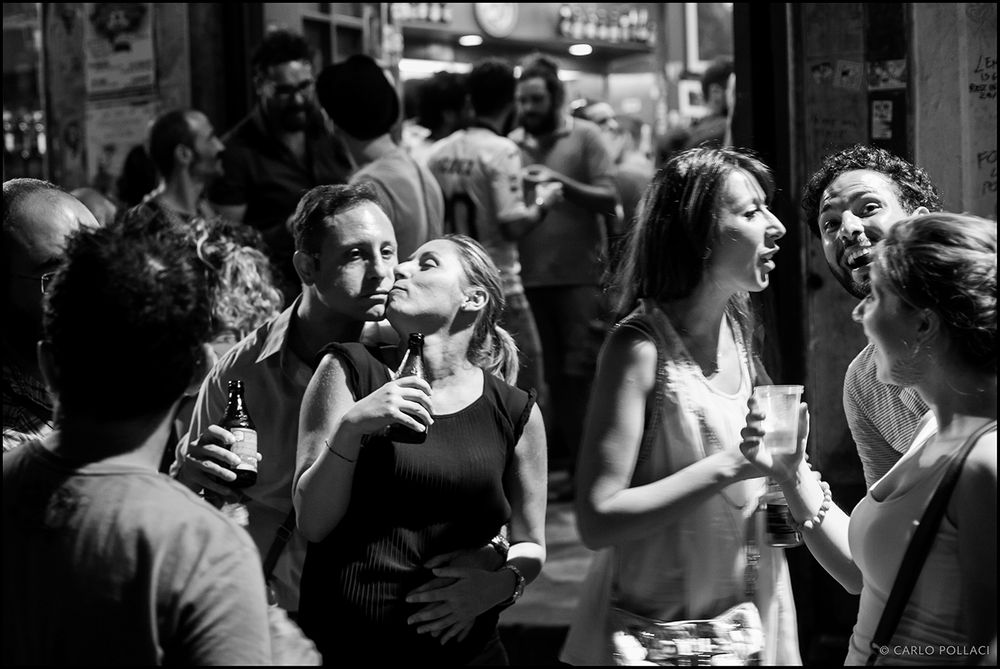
(112, 564)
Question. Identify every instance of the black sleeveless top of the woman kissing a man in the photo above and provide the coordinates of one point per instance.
(409, 503)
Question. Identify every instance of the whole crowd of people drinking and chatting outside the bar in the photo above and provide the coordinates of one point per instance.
(579, 311)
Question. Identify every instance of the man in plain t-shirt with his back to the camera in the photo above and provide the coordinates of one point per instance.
(141, 572)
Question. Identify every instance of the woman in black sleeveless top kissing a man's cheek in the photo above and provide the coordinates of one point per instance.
(378, 506)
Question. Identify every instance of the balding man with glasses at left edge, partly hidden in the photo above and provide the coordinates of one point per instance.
(37, 219)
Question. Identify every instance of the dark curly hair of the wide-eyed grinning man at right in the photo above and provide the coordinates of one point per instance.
(915, 188)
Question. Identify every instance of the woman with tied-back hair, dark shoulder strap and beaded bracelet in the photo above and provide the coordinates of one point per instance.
(932, 316)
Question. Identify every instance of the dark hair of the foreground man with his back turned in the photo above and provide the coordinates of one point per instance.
(125, 318)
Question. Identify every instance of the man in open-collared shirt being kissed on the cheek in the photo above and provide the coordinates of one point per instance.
(345, 253)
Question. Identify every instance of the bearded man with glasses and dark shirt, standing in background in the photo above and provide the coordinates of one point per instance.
(279, 151)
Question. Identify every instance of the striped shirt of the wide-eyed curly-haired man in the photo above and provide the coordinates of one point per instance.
(883, 418)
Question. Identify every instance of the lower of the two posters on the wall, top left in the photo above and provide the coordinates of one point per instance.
(113, 129)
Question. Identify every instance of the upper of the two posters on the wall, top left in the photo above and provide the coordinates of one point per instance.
(118, 48)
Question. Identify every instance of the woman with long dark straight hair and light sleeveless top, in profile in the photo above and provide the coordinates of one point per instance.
(663, 491)
